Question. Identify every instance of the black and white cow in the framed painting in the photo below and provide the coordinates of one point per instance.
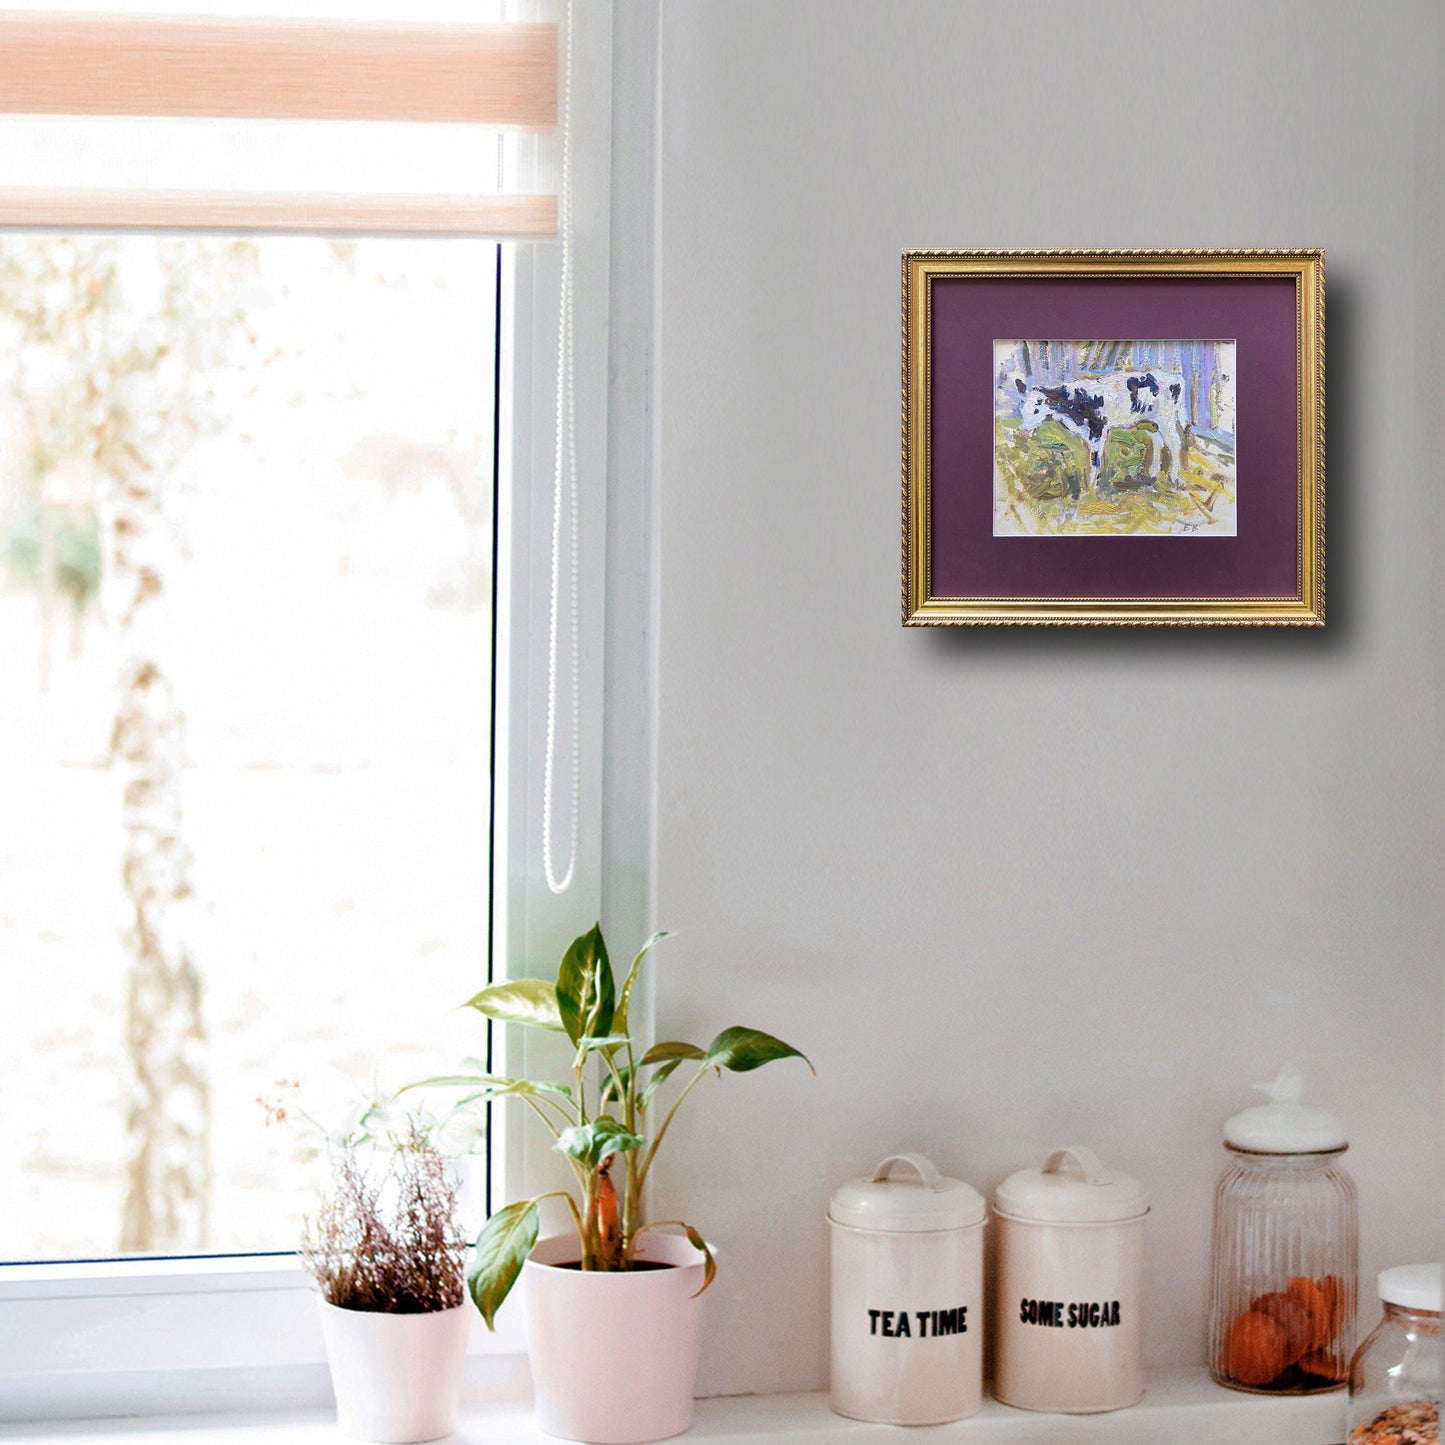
(1093, 407)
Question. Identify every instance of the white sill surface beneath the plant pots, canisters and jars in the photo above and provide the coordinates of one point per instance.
(1183, 1407)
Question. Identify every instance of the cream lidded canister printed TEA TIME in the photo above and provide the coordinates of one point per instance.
(908, 1295)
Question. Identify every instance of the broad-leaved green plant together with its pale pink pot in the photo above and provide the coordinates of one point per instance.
(613, 1308)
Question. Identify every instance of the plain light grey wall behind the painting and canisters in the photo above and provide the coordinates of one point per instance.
(1021, 888)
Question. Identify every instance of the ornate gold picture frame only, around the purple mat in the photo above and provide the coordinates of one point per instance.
(1307, 609)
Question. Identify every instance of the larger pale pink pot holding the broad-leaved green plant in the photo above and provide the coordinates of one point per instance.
(615, 1356)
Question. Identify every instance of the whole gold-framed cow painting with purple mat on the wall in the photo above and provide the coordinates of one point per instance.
(1113, 439)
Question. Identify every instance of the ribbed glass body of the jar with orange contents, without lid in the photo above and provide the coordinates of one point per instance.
(1284, 1272)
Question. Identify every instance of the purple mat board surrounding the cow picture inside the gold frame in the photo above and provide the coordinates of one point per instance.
(970, 313)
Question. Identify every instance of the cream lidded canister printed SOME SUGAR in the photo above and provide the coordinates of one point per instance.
(1070, 1287)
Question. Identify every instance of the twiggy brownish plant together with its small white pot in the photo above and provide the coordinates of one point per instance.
(389, 1262)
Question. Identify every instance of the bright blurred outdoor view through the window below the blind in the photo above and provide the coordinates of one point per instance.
(246, 537)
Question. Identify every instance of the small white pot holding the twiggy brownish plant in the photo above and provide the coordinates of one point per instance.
(397, 1376)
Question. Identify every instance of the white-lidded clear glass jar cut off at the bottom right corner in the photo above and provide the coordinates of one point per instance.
(1395, 1378)
